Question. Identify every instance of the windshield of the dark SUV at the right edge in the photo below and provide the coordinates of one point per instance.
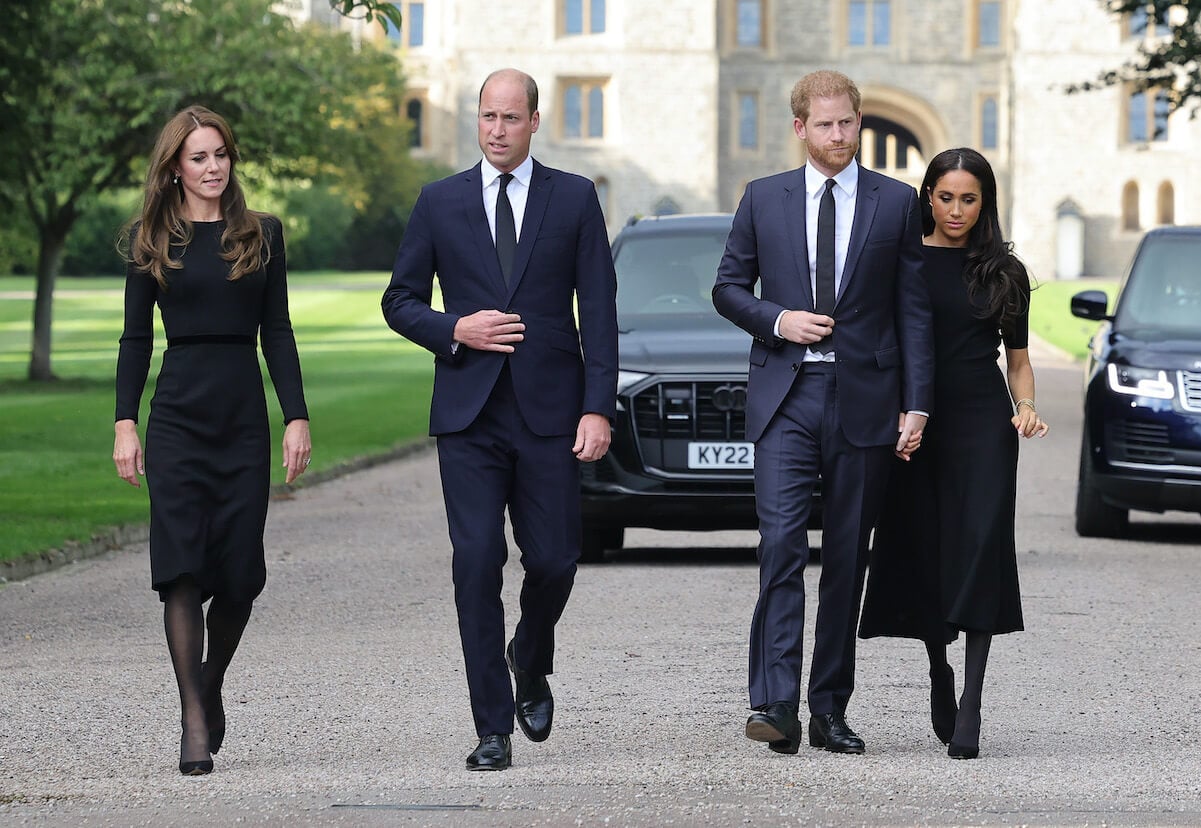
(1164, 288)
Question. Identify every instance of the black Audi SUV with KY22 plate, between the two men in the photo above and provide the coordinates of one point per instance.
(679, 457)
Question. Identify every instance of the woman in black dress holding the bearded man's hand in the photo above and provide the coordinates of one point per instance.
(945, 559)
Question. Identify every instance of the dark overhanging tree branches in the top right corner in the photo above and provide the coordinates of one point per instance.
(1172, 63)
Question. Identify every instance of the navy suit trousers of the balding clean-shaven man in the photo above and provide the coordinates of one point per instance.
(497, 463)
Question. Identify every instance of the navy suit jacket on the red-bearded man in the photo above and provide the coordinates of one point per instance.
(883, 341)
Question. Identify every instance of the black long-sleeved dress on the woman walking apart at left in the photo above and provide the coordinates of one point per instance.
(208, 439)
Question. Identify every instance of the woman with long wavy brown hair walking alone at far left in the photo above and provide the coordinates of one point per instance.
(217, 271)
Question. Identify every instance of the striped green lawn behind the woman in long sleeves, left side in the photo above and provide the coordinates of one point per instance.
(368, 392)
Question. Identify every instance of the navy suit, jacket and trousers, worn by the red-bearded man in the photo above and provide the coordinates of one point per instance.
(838, 421)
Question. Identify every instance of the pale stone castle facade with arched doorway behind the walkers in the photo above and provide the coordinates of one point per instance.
(676, 105)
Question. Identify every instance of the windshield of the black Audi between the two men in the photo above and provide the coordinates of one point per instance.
(670, 275)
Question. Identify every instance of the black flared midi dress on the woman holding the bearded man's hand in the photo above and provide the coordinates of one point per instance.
(943, 559)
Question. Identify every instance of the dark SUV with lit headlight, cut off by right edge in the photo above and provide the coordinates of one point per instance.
(1143, 403)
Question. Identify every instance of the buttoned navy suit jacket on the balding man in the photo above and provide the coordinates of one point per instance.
(563, 258)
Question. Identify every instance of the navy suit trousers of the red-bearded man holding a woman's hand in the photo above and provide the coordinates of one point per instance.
(803, 444)
